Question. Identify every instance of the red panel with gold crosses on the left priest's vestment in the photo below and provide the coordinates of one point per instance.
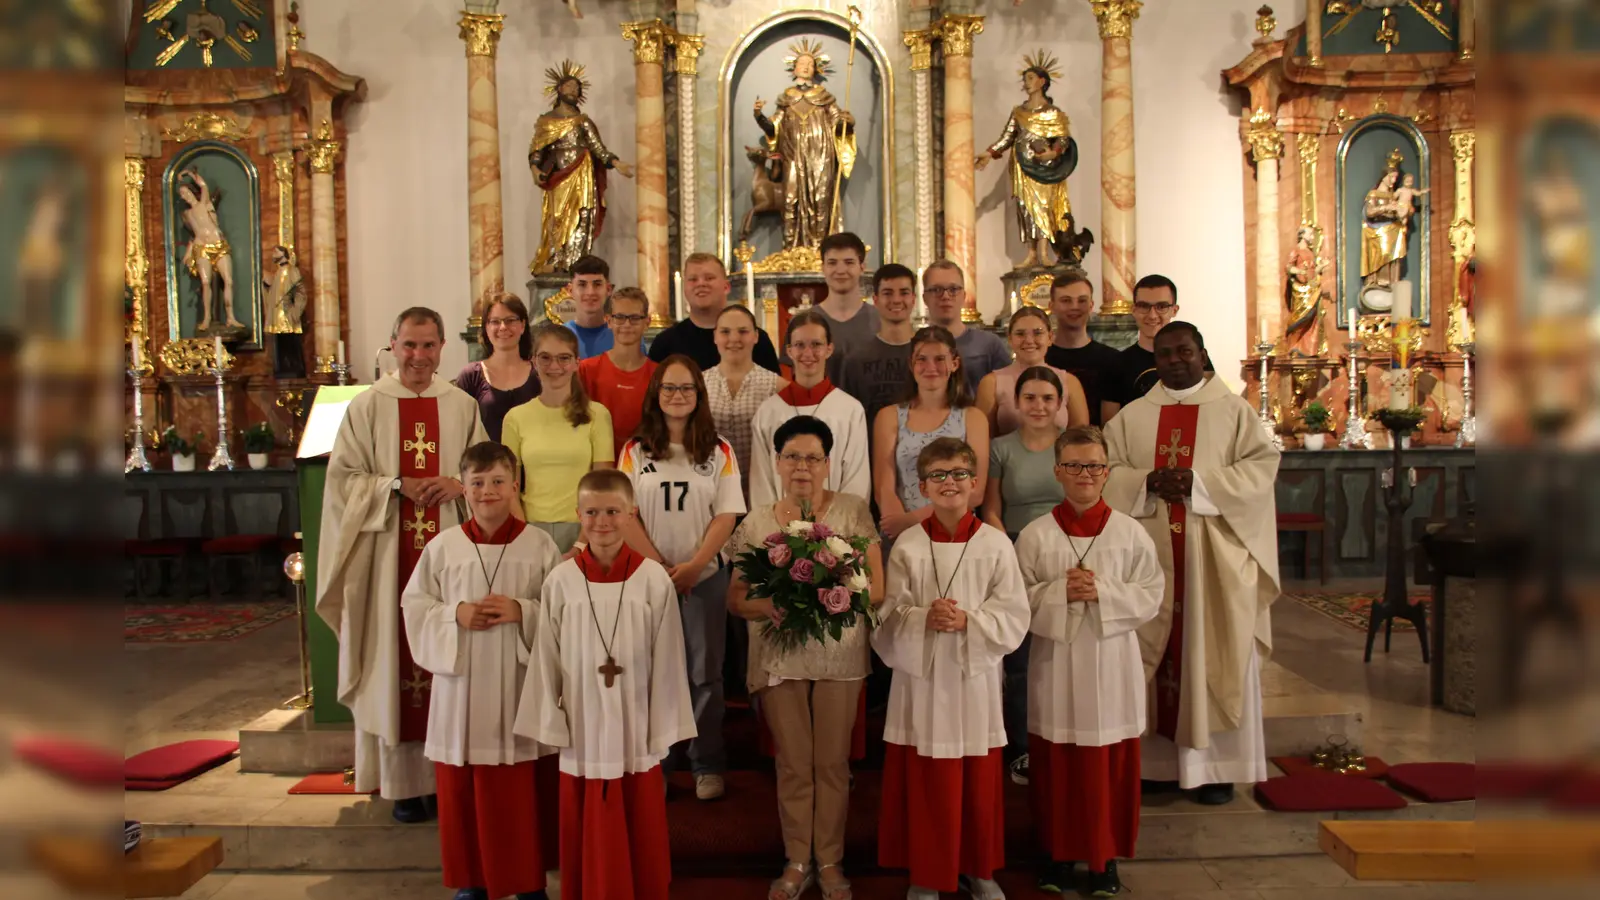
(418, 526)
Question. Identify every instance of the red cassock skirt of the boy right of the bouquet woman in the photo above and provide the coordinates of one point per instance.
(942, 818)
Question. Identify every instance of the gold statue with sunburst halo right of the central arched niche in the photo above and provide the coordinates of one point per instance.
(1044, 155)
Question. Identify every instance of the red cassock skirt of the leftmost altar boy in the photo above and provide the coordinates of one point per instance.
(497, 826)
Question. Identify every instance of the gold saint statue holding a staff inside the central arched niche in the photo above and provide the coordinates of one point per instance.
(810, 137)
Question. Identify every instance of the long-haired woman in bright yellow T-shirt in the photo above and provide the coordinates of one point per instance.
(558, 438)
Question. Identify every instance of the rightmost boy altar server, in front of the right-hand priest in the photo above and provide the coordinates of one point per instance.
(1094, 579)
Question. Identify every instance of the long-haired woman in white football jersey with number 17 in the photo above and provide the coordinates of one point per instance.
(687, 489)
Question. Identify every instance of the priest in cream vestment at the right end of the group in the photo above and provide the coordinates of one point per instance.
(1191, 462)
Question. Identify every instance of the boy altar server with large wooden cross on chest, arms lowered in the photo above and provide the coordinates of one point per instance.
(609, 689)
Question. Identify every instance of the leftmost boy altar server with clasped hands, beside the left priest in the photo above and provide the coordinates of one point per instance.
(470, 614)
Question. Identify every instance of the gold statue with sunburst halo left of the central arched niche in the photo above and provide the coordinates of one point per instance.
(569, 164)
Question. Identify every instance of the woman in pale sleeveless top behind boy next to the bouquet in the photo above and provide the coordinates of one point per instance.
(937, 406)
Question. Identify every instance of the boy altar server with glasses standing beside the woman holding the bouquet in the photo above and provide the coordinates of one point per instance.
(954, 608)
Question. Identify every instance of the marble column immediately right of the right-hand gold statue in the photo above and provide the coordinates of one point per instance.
(1118, 236)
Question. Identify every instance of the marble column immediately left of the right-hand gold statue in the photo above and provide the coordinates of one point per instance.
(961, 204)
